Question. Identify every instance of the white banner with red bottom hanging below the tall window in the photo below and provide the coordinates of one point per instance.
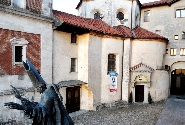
(113, 82)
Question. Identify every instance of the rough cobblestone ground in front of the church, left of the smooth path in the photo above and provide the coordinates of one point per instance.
(134, 114)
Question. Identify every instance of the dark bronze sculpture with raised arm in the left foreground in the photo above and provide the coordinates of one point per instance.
(50, 110)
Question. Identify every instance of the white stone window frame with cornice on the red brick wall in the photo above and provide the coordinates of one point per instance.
(19, 42)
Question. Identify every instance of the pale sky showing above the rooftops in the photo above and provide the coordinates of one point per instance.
(70, 5)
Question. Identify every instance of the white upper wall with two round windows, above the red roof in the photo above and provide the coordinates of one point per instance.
(109, 9)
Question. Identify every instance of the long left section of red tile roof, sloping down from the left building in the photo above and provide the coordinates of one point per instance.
(86, 23)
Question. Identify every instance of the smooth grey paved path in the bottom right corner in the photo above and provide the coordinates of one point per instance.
(173, 112)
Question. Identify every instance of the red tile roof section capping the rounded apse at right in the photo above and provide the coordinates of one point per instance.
(139, 32)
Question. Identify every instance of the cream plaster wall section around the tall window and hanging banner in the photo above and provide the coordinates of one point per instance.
(111, 46)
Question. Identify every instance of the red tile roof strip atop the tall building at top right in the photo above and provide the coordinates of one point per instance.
(159, 3)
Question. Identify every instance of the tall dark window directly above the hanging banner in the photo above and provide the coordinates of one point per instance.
(111, 62)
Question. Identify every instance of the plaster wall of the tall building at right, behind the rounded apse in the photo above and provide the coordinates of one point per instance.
(163, 19)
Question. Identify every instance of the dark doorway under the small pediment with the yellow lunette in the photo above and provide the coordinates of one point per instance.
(139, 93)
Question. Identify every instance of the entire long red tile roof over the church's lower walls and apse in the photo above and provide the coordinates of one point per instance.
(100, 26)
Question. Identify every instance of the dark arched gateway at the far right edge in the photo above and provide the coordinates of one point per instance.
(177, 82)
